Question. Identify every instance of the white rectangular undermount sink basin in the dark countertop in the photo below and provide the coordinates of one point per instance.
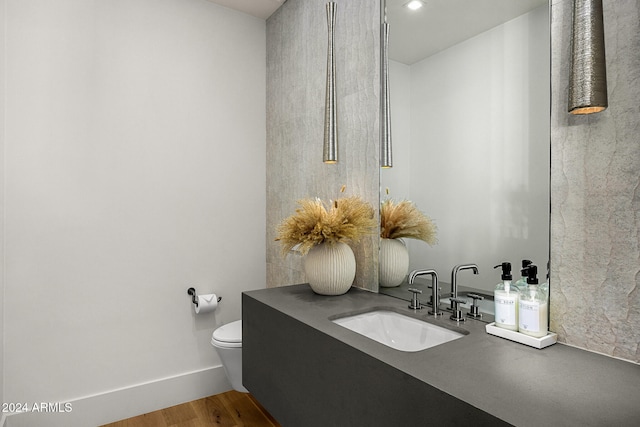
(398, 331)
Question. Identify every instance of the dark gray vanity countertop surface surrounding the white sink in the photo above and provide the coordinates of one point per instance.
(524, 386)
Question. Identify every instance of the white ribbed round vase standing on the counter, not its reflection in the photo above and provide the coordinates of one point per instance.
(330, 268)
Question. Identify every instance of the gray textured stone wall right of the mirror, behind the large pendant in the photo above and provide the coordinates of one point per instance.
(595, 193)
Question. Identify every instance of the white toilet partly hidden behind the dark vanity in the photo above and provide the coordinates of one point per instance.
(227, 340)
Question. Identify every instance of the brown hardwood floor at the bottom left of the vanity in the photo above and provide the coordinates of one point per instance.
(230, 409)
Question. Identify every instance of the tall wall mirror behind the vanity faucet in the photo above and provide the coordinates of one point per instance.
(470, 122)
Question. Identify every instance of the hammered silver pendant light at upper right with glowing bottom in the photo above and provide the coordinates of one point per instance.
(588, 78)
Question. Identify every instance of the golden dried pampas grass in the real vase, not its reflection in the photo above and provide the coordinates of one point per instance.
(344, 219)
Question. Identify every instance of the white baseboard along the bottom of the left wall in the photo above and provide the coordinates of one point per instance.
(127, 402)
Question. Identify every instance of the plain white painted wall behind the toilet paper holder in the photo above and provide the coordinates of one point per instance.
(134, 168)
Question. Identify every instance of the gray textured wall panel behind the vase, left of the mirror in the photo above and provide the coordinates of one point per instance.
(296, 72)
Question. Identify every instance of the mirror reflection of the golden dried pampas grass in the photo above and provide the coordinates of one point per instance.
(404, 220)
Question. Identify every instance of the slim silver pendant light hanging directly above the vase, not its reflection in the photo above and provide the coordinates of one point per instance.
(330, 150)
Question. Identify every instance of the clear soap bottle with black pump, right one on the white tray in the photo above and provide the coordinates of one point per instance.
(533, 307)
